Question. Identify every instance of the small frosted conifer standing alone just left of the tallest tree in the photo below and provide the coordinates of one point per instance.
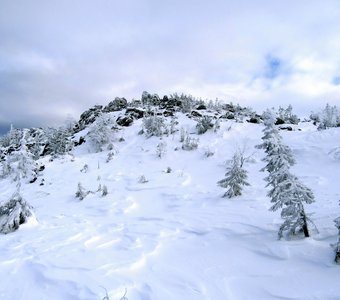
(236, 177)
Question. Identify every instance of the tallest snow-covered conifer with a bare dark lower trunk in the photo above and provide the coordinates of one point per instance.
(286, 192)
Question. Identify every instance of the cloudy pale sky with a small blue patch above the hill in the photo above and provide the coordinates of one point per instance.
(58, 58)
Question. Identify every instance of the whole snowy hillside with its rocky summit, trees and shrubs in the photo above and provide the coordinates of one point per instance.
(172, 198)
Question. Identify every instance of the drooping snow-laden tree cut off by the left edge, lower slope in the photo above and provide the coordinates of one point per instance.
(13, 213)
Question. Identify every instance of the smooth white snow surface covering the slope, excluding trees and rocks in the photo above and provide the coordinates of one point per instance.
(173, 237)
